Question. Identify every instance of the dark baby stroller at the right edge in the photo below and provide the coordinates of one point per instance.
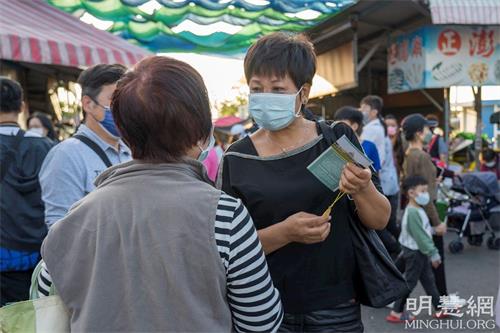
(471, 199)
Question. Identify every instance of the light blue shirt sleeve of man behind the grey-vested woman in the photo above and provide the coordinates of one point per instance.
(62, 183)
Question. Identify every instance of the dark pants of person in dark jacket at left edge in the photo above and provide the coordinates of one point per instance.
(14, 286)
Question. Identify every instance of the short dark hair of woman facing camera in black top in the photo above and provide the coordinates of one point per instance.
(280, 54)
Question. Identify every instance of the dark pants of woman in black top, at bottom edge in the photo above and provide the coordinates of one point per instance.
(345, 317)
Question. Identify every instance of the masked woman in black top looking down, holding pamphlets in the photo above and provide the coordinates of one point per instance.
(311, 258)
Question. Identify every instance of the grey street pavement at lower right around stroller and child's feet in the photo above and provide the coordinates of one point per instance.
(474, 272)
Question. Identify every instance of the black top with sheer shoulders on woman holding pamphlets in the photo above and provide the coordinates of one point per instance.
(309, 277)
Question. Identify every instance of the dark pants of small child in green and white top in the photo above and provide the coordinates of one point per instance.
(418, 268)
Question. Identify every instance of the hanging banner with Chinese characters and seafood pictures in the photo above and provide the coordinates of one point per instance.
(443, 56)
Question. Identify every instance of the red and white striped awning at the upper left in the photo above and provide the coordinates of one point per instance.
(33, 31)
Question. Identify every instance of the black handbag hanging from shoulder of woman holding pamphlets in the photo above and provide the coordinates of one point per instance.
(378, 281)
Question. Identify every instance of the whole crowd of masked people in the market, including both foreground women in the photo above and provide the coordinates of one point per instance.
(135, 233)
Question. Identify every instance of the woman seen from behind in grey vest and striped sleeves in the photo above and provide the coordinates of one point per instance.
(156, 246)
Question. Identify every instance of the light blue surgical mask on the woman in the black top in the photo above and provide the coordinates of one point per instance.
(273, 111)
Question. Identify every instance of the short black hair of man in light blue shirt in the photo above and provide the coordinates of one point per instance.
(94, 78)
